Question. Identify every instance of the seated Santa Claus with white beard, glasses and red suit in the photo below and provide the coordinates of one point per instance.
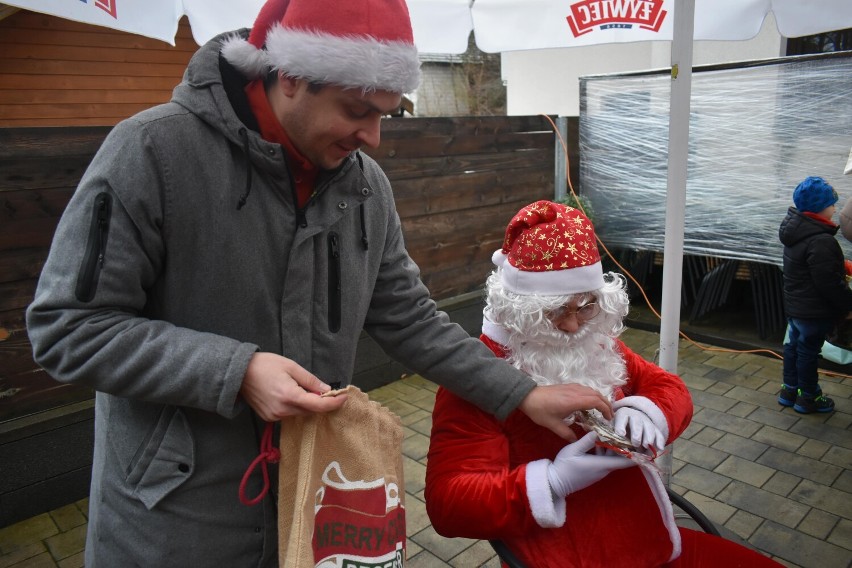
(553, 313)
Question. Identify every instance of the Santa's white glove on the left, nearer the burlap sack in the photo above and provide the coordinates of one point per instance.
(574, 469)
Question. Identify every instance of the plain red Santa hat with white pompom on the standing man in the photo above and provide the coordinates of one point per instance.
(366, 44)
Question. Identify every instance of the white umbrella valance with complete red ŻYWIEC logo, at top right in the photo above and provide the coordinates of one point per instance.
(511, 25)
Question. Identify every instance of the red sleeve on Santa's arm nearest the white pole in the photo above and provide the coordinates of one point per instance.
(664, 389)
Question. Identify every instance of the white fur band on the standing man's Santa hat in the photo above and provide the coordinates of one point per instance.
(347, 61)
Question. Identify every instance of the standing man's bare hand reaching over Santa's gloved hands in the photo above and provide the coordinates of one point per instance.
(550, 405)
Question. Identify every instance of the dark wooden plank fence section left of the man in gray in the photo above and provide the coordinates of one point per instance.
(39, 169)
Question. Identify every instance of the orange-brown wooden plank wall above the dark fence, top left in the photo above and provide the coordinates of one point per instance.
(55, 72)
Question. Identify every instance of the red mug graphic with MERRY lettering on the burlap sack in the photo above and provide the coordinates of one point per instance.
(358, 524)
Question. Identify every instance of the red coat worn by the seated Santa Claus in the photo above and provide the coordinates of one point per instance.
(487, 479)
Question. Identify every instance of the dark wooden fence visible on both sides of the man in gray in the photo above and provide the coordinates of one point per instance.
(457, 182)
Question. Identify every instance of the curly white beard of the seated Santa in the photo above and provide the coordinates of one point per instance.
(587, 357)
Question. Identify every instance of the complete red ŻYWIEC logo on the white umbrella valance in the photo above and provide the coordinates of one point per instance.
(587, 14)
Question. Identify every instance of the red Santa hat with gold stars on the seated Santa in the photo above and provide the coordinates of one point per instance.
(550, 249)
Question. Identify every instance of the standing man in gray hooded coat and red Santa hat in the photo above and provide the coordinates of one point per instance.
(216, 265)
